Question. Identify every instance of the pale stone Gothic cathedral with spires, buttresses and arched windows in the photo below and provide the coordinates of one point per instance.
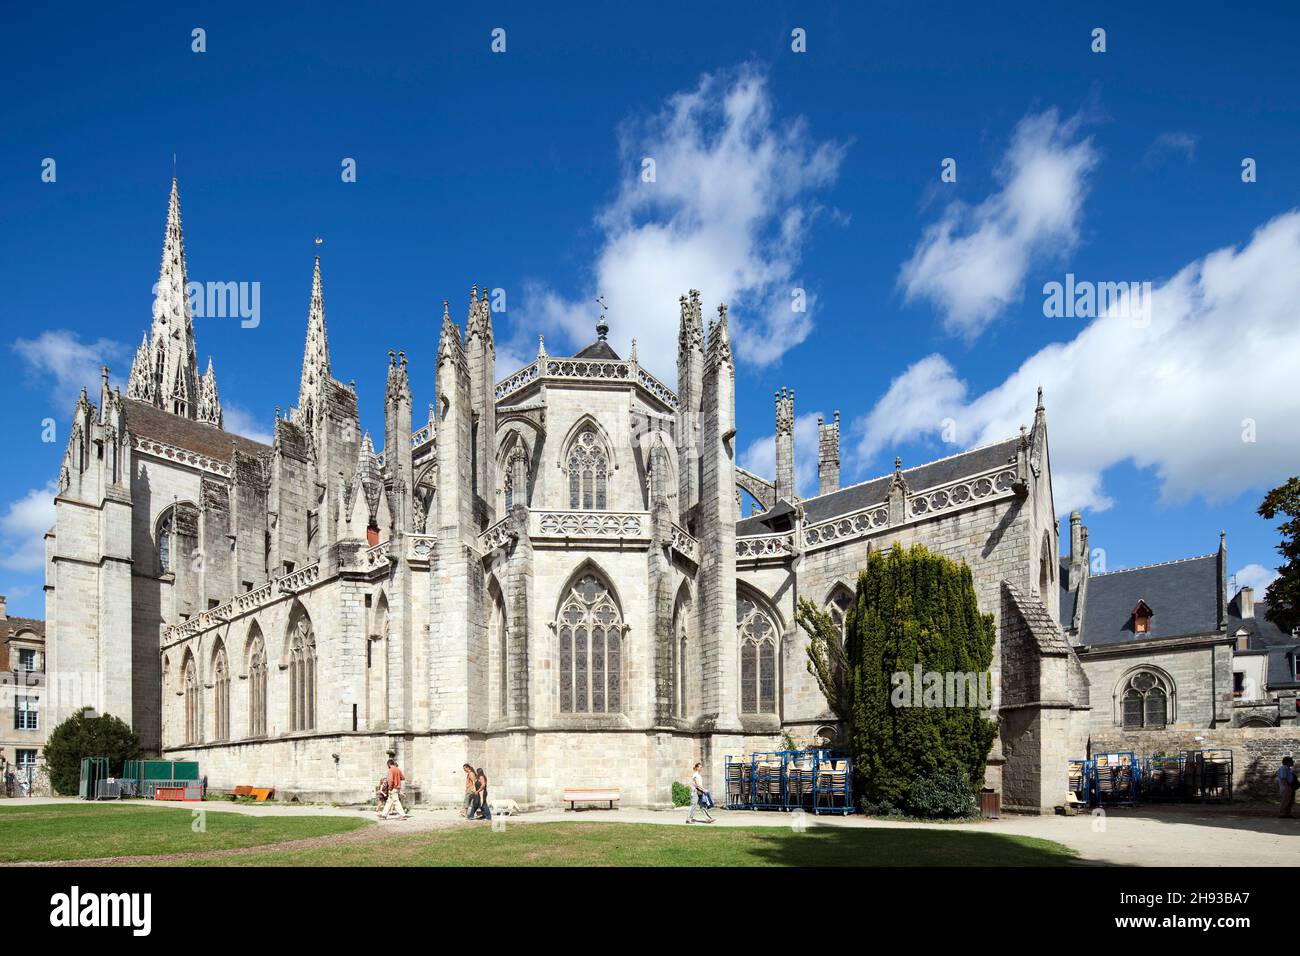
(551, 578)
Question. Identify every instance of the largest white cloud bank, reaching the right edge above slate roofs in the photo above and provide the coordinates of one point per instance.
(1202, 393)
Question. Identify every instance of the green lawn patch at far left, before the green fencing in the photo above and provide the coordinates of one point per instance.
(85, 832)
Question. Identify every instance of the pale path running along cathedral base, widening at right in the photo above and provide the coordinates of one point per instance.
(1240, 836)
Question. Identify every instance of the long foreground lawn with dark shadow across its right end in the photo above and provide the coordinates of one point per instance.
(649, 845)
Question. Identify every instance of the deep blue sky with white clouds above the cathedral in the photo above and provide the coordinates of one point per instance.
(774, 171)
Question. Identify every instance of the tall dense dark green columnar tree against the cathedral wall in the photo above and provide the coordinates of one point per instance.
(912, 608)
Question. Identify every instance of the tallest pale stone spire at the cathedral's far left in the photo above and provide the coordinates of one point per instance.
(172, 357)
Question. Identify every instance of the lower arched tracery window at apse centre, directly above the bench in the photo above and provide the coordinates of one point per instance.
(591, 634)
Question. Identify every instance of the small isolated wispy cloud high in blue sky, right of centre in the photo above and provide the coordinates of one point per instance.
(972, 265)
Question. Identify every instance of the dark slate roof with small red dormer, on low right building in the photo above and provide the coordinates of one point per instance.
(1184, 598)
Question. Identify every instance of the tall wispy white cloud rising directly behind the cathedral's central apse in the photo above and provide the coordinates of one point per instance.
(729, 214)
